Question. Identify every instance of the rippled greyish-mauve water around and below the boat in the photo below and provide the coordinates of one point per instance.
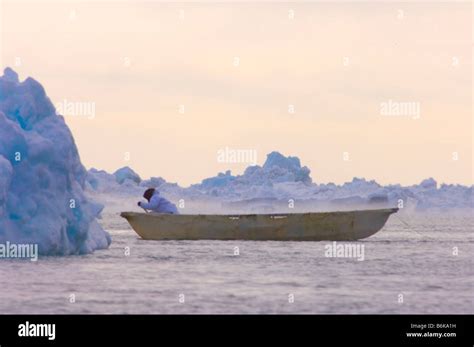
(414, 258)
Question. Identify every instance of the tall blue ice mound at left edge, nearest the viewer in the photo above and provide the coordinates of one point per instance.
(42, 179)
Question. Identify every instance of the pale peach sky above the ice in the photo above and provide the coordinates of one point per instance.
(237, 67)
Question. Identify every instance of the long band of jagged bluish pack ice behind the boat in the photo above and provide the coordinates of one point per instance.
(272, 187)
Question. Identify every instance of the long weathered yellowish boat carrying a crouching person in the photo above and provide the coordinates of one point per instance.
(314, 226)
